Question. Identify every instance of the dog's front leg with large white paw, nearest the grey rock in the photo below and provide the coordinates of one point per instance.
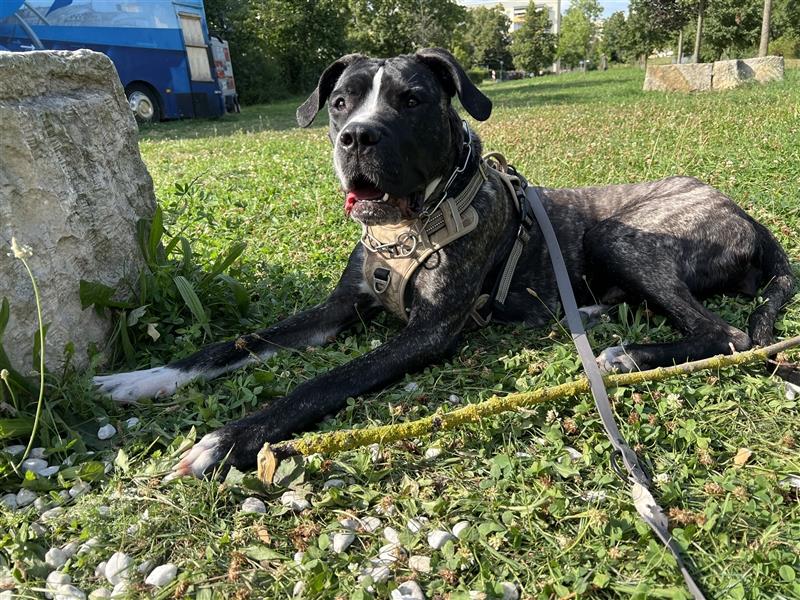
(348, 303)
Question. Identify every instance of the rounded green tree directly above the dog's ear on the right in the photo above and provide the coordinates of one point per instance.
(485, 40)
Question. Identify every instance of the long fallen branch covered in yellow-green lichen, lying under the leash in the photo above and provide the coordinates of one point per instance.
(339, 441)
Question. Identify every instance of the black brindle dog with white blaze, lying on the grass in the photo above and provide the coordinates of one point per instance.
(396, 141)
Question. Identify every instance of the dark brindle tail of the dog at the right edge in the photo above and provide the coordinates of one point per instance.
(780, 287)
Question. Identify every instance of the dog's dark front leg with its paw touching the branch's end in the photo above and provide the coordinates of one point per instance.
(417, 345)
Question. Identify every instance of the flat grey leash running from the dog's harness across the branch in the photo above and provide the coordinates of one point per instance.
(643, 500)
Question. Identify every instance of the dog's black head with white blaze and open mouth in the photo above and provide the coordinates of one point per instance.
(395, 134)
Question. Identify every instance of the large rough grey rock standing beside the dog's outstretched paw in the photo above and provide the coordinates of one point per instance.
(72, 187)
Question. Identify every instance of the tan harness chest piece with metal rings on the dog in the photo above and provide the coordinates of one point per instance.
(395, 252)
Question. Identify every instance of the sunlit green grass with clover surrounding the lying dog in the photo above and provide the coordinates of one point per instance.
(260, 180)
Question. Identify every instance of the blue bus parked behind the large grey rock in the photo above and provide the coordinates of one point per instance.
(168, 63)
